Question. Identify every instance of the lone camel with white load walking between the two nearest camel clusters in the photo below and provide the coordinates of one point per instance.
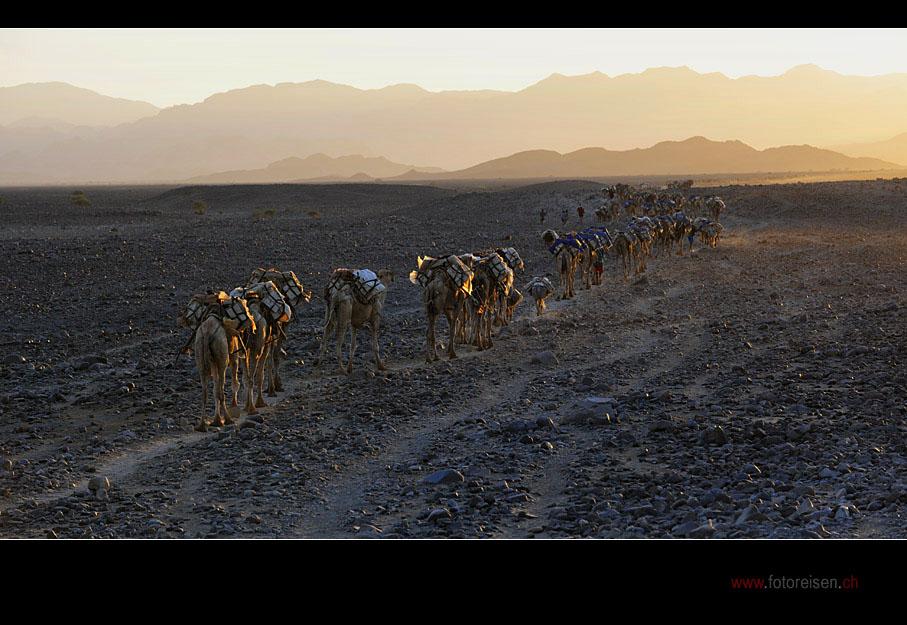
(345, 311)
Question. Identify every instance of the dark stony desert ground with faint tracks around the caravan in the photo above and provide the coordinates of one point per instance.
(752, 390)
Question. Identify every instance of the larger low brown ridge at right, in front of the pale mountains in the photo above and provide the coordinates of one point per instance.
(696, 155)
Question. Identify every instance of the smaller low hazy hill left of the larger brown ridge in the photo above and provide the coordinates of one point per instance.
(317, 167)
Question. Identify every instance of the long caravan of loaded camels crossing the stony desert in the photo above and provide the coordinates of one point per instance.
(244, 329)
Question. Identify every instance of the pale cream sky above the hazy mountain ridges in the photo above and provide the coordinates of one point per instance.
(183, 66)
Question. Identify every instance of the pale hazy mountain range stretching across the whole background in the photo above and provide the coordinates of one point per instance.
(250, 128)
